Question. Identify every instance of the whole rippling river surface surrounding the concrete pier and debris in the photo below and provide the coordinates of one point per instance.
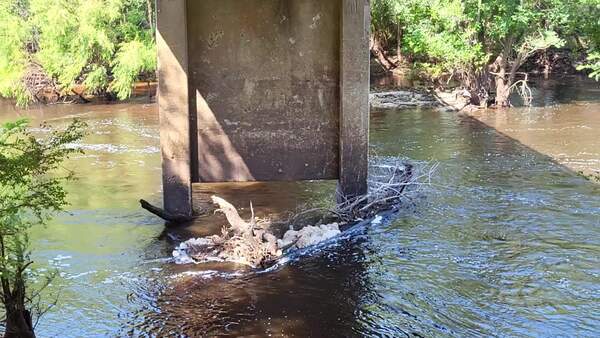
(505, 242)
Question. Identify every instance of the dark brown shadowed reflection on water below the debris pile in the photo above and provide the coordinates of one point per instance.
(299, 300)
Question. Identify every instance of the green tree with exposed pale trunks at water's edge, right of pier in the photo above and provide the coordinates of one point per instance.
(510, 31)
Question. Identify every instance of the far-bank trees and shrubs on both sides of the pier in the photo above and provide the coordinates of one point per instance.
(56, 52)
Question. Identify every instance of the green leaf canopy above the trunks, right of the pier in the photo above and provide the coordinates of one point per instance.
(449, 36)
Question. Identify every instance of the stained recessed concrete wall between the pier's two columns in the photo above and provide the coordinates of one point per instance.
(265, 79)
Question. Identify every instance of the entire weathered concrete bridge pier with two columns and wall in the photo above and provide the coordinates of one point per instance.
(262, 90)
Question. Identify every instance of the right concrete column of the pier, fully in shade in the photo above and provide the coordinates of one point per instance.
(354, 97)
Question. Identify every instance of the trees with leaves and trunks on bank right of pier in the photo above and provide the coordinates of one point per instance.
(483, 44)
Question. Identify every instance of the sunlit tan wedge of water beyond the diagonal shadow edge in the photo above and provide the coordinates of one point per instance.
(563, 124)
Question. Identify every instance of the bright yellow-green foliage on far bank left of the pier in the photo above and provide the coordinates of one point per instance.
(76, 42)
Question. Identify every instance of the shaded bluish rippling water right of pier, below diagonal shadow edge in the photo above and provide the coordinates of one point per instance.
(491, 242)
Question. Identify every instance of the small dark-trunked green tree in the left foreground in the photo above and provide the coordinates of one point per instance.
(31, 190)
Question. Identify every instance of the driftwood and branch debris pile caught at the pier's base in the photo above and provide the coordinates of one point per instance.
(253, 243)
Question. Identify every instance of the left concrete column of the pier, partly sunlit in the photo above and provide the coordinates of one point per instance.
(173, 105)
